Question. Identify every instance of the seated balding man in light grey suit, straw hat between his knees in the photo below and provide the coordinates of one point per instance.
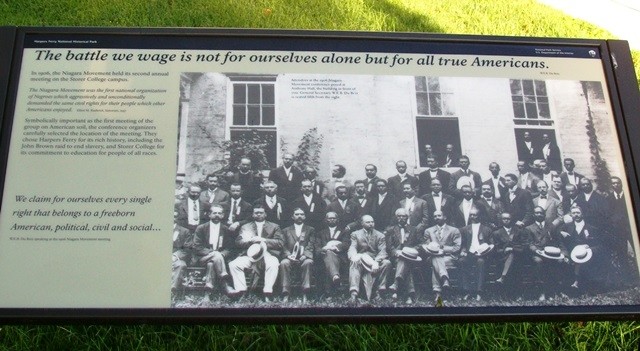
(368, 241)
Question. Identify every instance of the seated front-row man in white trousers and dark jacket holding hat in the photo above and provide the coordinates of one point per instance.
(268, 236)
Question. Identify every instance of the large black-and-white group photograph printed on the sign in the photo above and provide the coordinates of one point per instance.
(325, 190)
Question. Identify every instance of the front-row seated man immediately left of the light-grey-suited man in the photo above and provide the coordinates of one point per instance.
(332, 255)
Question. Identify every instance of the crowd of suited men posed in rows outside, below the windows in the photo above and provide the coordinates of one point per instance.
(381, 231)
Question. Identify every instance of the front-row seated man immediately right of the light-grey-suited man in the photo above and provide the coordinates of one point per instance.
(399, 236)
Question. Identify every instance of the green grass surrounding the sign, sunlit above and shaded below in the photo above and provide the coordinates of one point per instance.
(486, 17)
